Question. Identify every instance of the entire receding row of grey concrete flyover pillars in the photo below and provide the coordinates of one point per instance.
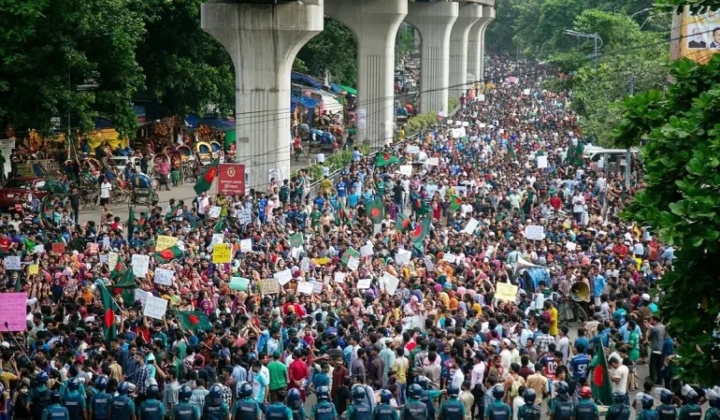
(264, 36)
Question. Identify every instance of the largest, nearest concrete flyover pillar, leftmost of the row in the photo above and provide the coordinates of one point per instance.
(263, 40)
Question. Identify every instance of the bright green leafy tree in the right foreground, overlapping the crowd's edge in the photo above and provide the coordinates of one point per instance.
(681, 201)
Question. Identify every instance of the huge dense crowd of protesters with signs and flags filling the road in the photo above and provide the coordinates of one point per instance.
(378, 296)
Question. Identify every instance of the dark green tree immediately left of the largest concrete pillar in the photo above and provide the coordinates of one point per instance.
(189, 72)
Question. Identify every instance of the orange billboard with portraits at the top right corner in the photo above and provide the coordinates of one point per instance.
(699, 35)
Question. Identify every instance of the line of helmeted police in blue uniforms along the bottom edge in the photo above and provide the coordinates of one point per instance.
(70, 404)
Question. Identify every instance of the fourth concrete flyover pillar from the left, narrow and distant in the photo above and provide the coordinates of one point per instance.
(468, 15)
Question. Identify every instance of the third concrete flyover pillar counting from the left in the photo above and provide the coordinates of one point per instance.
(434, 21)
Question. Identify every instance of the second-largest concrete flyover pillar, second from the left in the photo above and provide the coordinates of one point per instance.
(375, 24)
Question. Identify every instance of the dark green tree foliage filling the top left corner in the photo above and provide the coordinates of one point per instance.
(49, 48)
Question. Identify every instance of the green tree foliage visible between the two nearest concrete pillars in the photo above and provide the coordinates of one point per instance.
(333, 51)
